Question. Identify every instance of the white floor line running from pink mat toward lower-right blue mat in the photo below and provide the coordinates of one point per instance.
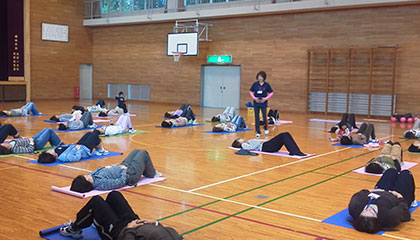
(238, 203)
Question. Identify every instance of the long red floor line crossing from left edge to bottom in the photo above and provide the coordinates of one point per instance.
(184, 204)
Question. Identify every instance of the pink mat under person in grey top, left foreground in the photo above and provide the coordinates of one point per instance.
(142, 181)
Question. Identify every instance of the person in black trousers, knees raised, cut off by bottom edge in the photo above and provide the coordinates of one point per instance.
(115, 219)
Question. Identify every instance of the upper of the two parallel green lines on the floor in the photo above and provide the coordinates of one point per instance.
(265, 185)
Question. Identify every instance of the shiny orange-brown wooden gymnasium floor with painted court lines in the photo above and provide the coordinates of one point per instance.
(210, 193)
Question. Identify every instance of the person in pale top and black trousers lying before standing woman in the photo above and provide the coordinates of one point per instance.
(272, 145)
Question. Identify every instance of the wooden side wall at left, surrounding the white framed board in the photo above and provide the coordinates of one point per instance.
(55, 65)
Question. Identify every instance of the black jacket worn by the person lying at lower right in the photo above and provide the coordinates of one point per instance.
(391, 210)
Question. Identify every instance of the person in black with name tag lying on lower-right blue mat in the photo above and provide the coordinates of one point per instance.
(385, 206)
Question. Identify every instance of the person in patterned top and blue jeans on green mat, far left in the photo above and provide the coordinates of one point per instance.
(29, 145)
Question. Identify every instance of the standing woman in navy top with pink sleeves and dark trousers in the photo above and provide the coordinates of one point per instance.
(261, 92)
